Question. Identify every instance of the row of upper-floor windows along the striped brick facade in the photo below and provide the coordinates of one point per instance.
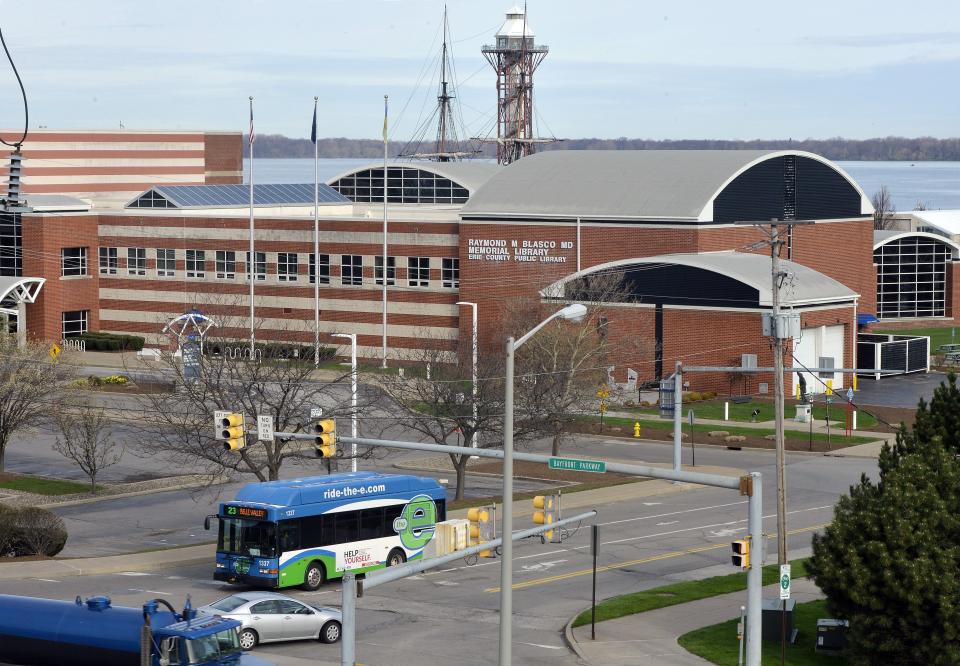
(288, 266)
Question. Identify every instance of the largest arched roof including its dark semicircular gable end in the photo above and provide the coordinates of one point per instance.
(693, 186)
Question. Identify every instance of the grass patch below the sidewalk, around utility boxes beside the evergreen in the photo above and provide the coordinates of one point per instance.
(718, 644)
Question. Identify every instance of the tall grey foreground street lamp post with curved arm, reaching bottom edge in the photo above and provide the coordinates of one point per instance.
(573, 312)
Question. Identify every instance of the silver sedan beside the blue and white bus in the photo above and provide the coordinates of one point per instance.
(266, 617)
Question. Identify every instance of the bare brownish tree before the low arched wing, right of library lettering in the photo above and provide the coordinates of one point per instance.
(561, 368)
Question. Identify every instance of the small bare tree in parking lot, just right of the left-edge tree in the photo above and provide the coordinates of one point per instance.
(84, 436)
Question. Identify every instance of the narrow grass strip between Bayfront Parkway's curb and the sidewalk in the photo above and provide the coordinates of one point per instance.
(681, 593)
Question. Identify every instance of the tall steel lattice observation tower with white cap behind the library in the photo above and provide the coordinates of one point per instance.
(515, 57)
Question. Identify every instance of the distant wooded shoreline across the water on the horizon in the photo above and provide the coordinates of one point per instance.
(888, 149)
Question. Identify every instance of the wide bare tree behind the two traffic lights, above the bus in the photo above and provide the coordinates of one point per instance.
(276, 382)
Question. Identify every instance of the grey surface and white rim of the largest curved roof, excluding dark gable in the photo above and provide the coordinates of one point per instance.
(624, 184)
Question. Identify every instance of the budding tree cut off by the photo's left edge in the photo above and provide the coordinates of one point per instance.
(31, 383)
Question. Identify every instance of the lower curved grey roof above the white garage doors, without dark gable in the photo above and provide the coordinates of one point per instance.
(807, 286)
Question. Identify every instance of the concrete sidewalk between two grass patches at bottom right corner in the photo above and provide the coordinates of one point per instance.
(651, 637)
